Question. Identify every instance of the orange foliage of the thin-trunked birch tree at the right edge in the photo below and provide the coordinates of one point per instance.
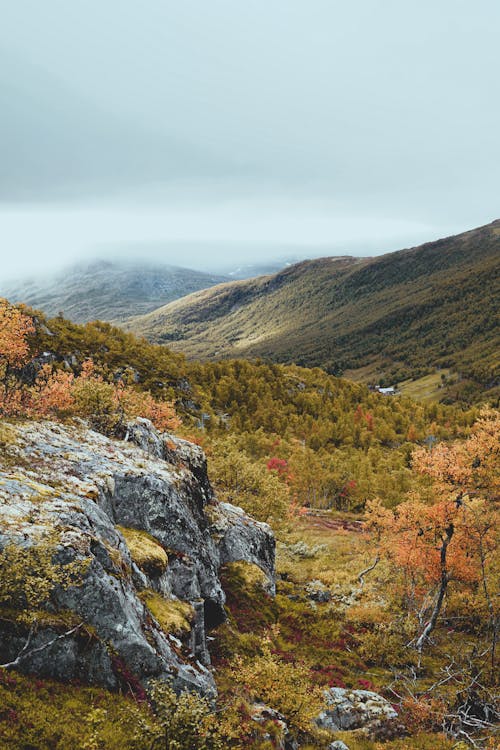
(450, 538)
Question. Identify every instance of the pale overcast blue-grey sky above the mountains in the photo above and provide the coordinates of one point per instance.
(208, 133)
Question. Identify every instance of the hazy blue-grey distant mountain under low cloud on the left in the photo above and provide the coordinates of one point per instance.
(107, 290)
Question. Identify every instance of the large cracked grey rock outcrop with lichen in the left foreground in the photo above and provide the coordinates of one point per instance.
(80, 485)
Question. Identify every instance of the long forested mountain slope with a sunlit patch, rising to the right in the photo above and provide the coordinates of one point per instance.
(396, 314)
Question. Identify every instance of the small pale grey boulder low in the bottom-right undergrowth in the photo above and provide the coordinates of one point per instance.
(355, 709)
